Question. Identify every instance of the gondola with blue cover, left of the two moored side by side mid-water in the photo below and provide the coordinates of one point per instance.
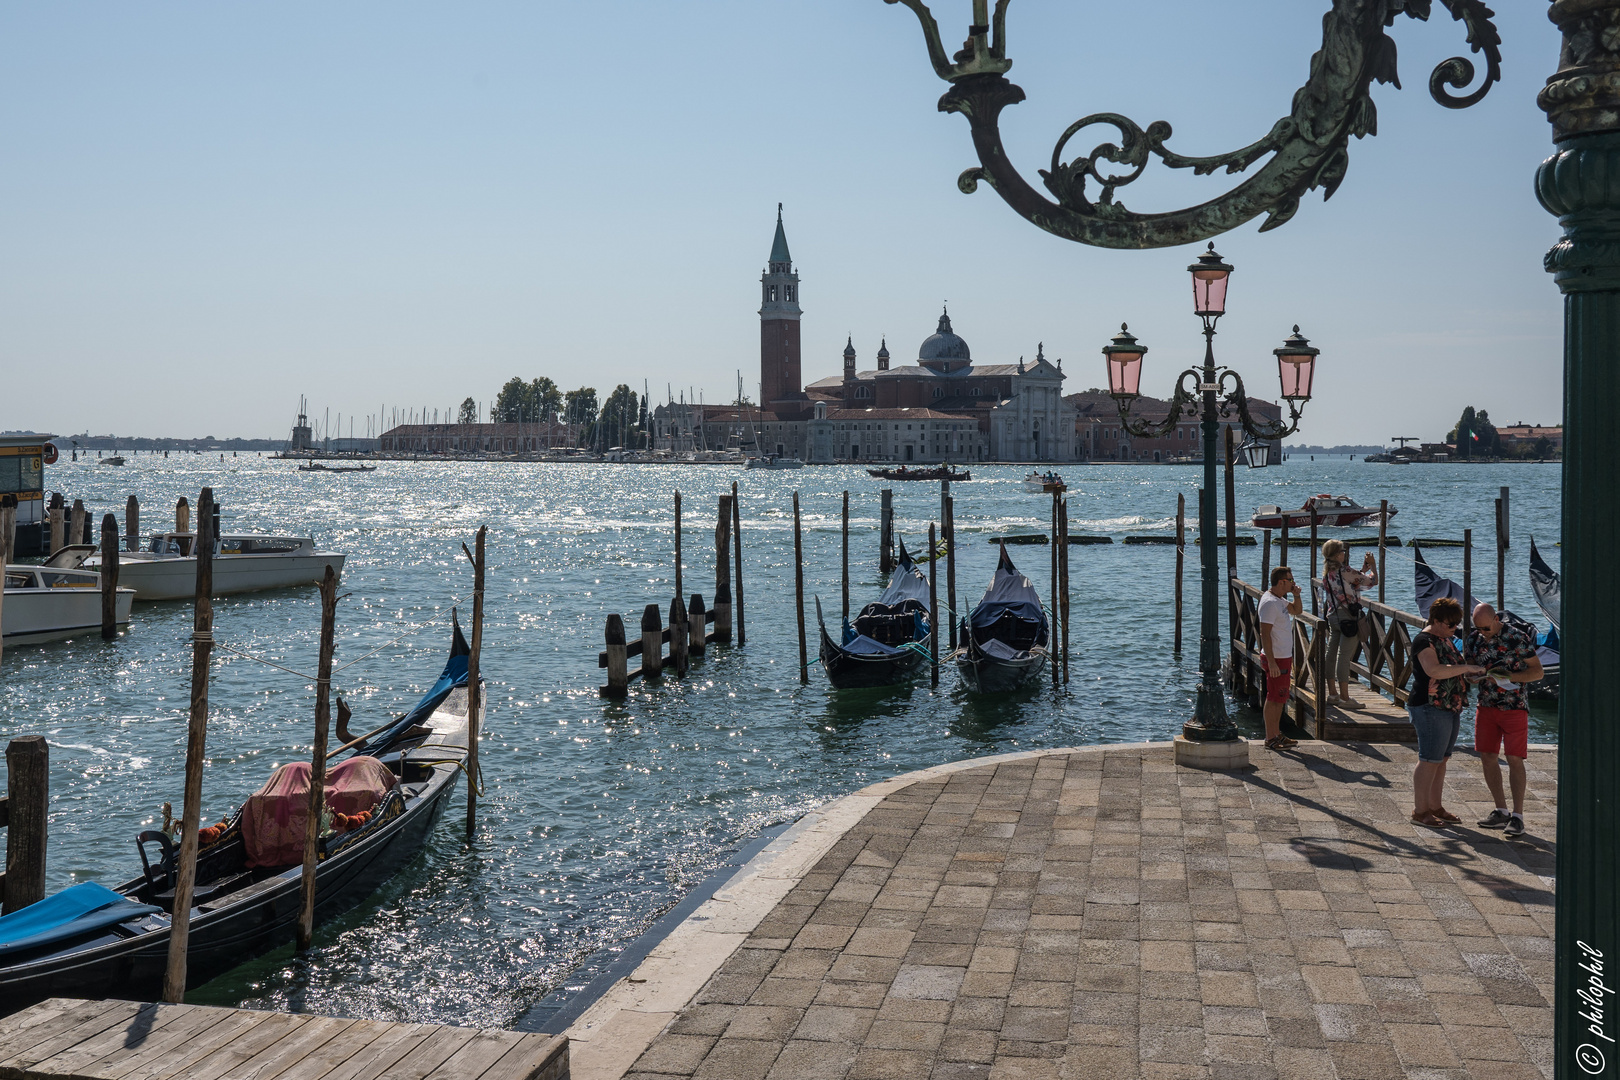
(889, 642)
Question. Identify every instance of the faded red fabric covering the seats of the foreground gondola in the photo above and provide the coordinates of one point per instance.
(275, 819)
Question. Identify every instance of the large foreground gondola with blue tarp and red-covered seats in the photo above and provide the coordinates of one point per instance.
(92, 942)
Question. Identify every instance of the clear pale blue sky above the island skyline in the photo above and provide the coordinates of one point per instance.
(208, 211)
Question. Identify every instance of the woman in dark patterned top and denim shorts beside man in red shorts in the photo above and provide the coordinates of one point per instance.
(1436, 705)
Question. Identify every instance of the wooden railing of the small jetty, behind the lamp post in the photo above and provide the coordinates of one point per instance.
(1384, 657)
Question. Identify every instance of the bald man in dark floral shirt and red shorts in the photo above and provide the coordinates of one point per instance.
(1503, 720)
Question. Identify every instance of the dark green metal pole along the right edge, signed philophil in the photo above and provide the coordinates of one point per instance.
(1579, 184)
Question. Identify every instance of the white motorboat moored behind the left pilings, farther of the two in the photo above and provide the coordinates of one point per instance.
(244, 563)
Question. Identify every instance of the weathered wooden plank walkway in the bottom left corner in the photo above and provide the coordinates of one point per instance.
(127, 1040)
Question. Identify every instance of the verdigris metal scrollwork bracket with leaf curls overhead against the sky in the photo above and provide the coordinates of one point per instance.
(1307, 150)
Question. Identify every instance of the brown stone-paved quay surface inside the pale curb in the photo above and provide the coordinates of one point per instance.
(1104, 914)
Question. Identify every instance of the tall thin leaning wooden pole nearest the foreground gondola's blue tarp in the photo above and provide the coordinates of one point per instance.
(197, 747)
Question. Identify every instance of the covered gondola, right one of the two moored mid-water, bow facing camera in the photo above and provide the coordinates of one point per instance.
(1005, 639)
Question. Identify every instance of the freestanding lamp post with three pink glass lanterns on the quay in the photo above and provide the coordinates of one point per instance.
(1211, 396)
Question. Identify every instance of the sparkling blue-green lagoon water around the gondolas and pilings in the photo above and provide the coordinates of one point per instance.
(600, 815)
